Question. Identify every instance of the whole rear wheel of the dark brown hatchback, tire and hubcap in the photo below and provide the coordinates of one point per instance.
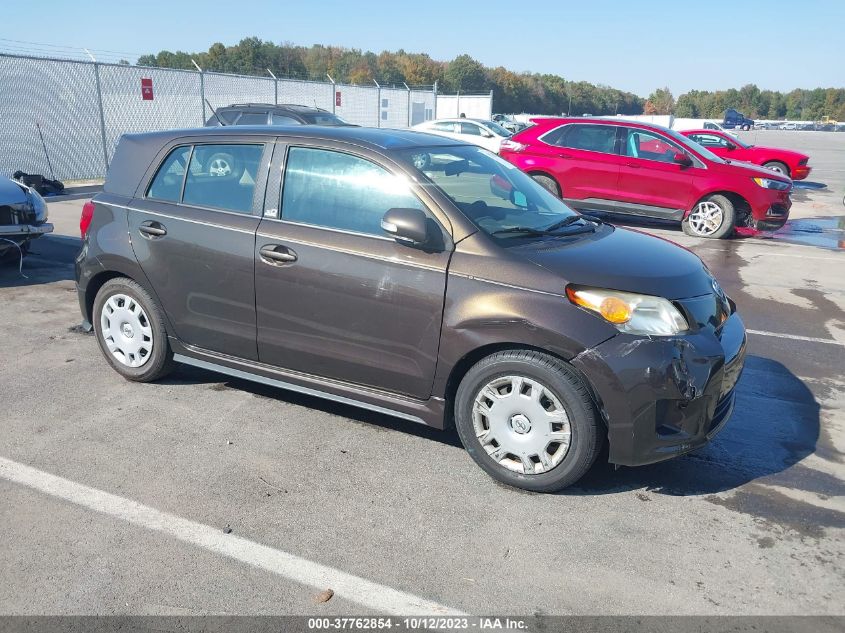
(130, 331)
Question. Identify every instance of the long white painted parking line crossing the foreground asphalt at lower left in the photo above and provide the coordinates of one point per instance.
(359, 590)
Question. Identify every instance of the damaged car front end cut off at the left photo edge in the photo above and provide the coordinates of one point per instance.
(23, 218)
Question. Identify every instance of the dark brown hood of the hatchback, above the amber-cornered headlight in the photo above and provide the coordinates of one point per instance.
(624, 259)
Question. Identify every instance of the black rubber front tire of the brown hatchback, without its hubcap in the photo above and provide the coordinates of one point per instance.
(586, 428)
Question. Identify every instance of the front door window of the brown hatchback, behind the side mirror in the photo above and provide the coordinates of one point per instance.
(341, 191)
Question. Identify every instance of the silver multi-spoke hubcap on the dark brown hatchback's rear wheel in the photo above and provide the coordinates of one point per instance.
(126, 330)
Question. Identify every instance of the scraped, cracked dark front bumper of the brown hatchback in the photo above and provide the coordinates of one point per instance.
(665, 396)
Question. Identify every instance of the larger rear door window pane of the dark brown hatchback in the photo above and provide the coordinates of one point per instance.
(223, 176)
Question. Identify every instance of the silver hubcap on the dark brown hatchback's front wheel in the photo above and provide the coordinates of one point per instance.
(521, 424)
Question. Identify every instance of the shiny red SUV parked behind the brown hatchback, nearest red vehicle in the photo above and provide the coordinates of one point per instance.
(628, 168)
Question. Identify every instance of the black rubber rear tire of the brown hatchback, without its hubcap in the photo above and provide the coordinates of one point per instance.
(159, 362)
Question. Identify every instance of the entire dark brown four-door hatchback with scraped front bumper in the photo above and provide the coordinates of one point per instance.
(410, 275)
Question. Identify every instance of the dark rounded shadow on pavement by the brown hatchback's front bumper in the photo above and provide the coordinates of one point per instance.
(775, 425)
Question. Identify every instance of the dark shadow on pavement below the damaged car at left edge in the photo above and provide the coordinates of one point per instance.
(51, 258)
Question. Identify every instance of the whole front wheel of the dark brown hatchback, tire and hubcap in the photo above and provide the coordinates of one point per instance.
(527, 420)
